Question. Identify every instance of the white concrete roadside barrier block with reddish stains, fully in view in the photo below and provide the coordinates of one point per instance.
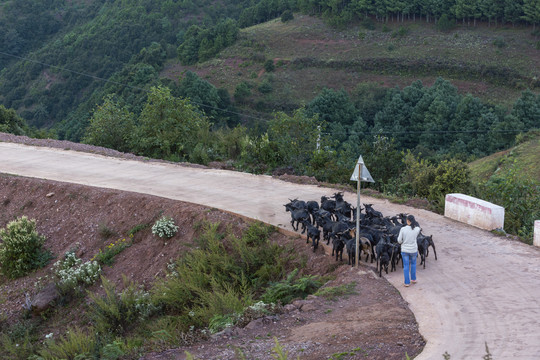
(473, 211)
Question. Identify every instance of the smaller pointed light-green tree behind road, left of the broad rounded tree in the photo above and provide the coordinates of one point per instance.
(111, 126)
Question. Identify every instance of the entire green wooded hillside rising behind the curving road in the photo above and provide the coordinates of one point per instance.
(418, 87)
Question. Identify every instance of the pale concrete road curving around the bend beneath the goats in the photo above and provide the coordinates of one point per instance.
(483, 288)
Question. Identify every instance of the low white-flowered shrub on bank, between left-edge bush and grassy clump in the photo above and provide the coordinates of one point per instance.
(72, 272)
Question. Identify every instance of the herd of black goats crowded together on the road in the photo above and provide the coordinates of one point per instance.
(337, 220)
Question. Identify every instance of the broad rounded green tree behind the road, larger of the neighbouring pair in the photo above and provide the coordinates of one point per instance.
(169, 127)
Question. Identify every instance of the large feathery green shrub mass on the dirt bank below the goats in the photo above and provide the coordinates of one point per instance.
(221, 276)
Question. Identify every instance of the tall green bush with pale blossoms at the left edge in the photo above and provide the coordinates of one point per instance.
(21, 249)
